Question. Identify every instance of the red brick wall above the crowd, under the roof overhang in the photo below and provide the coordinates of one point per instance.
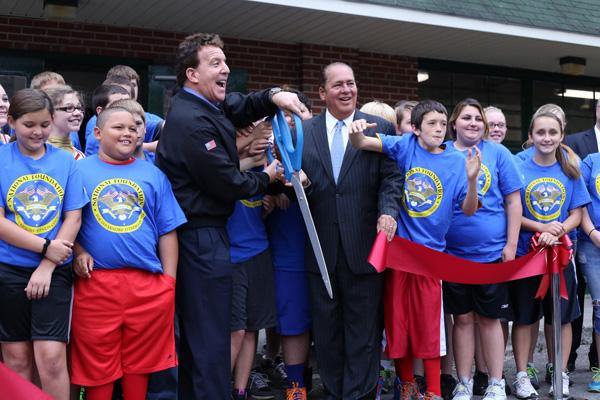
(380, 76)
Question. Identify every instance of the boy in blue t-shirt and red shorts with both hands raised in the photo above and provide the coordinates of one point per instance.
(437, 180)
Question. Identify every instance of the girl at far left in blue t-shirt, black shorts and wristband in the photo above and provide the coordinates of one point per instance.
(41, 196)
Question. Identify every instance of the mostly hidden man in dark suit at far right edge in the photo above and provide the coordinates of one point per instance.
(583, 143)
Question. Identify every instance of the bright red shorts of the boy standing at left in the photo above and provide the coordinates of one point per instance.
(122, 324)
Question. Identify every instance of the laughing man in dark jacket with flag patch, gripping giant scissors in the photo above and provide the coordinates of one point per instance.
(197, 151)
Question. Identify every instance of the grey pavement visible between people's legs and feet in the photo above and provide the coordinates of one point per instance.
(580, 377)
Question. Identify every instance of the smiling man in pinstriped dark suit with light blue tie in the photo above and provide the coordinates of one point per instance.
(353, 196)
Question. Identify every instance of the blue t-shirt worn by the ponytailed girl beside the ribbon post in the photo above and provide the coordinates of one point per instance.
(548, 194)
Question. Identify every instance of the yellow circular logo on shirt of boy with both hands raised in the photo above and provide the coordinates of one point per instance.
(423, 192)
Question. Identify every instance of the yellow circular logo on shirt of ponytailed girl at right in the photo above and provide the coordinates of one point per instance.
(544, 198)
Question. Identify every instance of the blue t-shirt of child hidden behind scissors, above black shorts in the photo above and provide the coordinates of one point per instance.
(246, 230)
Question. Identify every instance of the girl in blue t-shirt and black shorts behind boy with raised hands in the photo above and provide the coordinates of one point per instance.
(490, 236)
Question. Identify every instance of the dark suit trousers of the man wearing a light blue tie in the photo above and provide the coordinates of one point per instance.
(347, 330)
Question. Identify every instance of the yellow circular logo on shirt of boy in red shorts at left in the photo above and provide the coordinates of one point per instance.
(118, 205)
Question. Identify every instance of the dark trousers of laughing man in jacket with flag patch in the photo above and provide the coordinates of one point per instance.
(204, 308)
